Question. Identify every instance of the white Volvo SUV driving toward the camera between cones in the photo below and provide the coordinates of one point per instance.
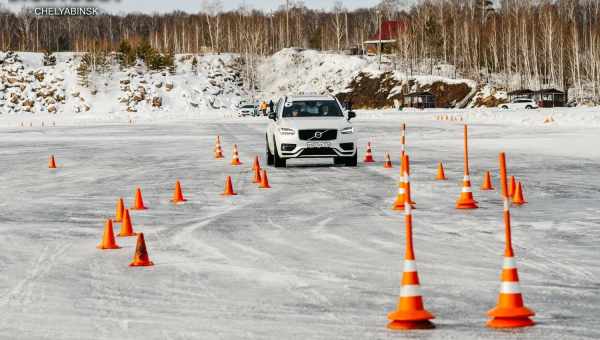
(310, 127)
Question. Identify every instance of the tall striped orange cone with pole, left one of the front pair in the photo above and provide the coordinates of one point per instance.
(410, 312)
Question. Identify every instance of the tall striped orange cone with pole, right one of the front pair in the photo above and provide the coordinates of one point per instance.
(510, 311)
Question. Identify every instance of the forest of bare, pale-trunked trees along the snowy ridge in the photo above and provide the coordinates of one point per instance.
(542, 42)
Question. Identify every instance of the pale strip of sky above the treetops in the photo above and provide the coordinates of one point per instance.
(191, 6)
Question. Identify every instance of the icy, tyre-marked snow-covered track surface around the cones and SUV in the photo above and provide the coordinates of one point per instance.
(318, 256)
